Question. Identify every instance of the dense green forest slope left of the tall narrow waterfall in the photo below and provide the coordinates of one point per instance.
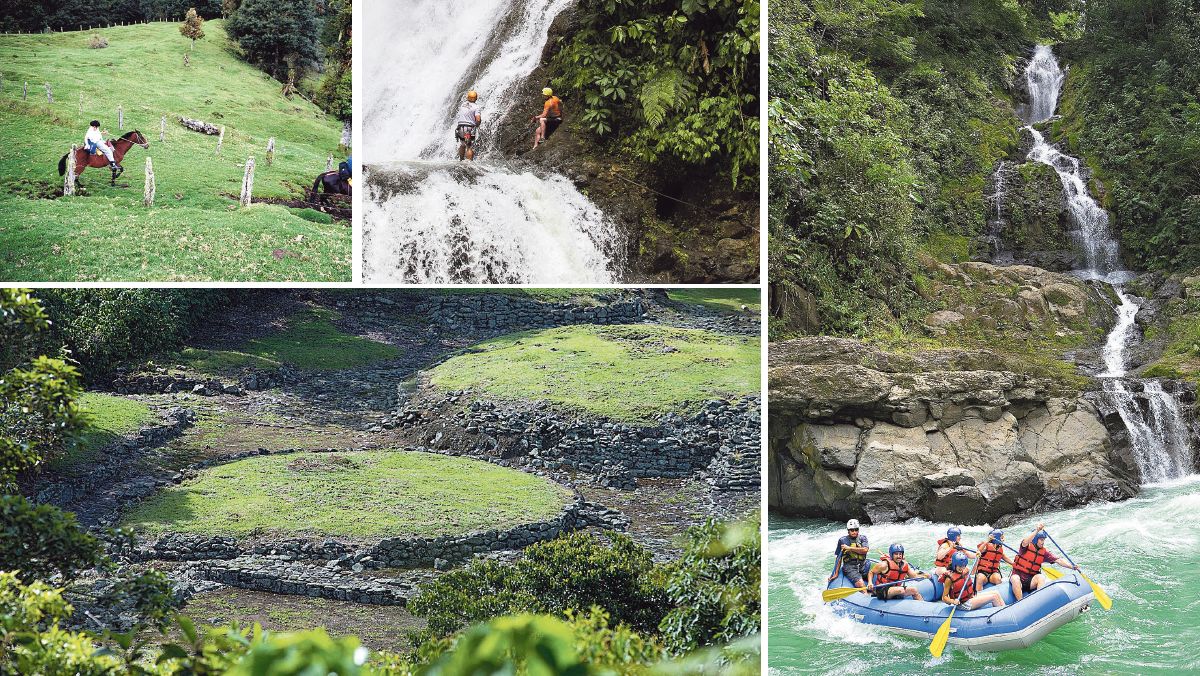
(887, 117)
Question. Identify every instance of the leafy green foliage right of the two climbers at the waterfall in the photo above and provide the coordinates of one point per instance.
(671, 81)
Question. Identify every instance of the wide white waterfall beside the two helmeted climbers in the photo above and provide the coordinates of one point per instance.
(429, 219)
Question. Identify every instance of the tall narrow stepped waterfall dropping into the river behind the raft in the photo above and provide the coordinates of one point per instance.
(1160, 436)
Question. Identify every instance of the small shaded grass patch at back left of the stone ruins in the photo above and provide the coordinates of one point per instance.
(310, 342)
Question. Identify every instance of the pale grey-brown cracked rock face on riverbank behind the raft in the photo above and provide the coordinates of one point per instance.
(944, 435)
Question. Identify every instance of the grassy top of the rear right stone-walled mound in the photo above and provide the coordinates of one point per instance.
(625, 373)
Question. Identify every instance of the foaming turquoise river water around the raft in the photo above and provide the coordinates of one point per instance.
(1145, 553)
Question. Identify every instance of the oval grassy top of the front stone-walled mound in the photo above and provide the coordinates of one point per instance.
(356, 495)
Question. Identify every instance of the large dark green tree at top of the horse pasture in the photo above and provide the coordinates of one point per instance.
(280, 37)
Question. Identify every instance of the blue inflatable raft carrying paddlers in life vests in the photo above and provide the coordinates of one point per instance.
(988, 629)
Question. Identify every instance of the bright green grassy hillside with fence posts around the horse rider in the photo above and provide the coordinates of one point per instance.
(195, 231)
